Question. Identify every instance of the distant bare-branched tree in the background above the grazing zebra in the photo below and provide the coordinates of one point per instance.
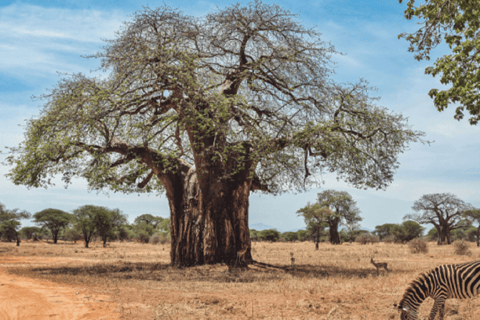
(443, 210)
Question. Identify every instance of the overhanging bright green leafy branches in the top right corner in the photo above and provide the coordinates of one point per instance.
(457, 23)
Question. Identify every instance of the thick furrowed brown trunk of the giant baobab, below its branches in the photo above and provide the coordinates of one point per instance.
(209, 225)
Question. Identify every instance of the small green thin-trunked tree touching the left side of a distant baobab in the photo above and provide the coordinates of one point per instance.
(315, 218)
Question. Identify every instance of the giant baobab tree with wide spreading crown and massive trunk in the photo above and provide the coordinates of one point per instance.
(208, 110)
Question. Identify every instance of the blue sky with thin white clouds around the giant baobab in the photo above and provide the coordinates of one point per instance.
(39, 39)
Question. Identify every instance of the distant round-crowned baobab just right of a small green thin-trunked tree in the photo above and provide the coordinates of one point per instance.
(343, 209)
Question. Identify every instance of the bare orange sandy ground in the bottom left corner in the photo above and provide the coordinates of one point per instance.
(30, 299)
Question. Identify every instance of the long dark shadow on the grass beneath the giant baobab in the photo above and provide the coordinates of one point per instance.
(208, 273)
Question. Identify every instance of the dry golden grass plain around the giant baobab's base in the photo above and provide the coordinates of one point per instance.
(335, 282)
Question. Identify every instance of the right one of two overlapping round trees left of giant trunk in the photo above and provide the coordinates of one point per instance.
(107, 221)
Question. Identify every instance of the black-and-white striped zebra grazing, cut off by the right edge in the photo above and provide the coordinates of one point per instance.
(457, 281)
